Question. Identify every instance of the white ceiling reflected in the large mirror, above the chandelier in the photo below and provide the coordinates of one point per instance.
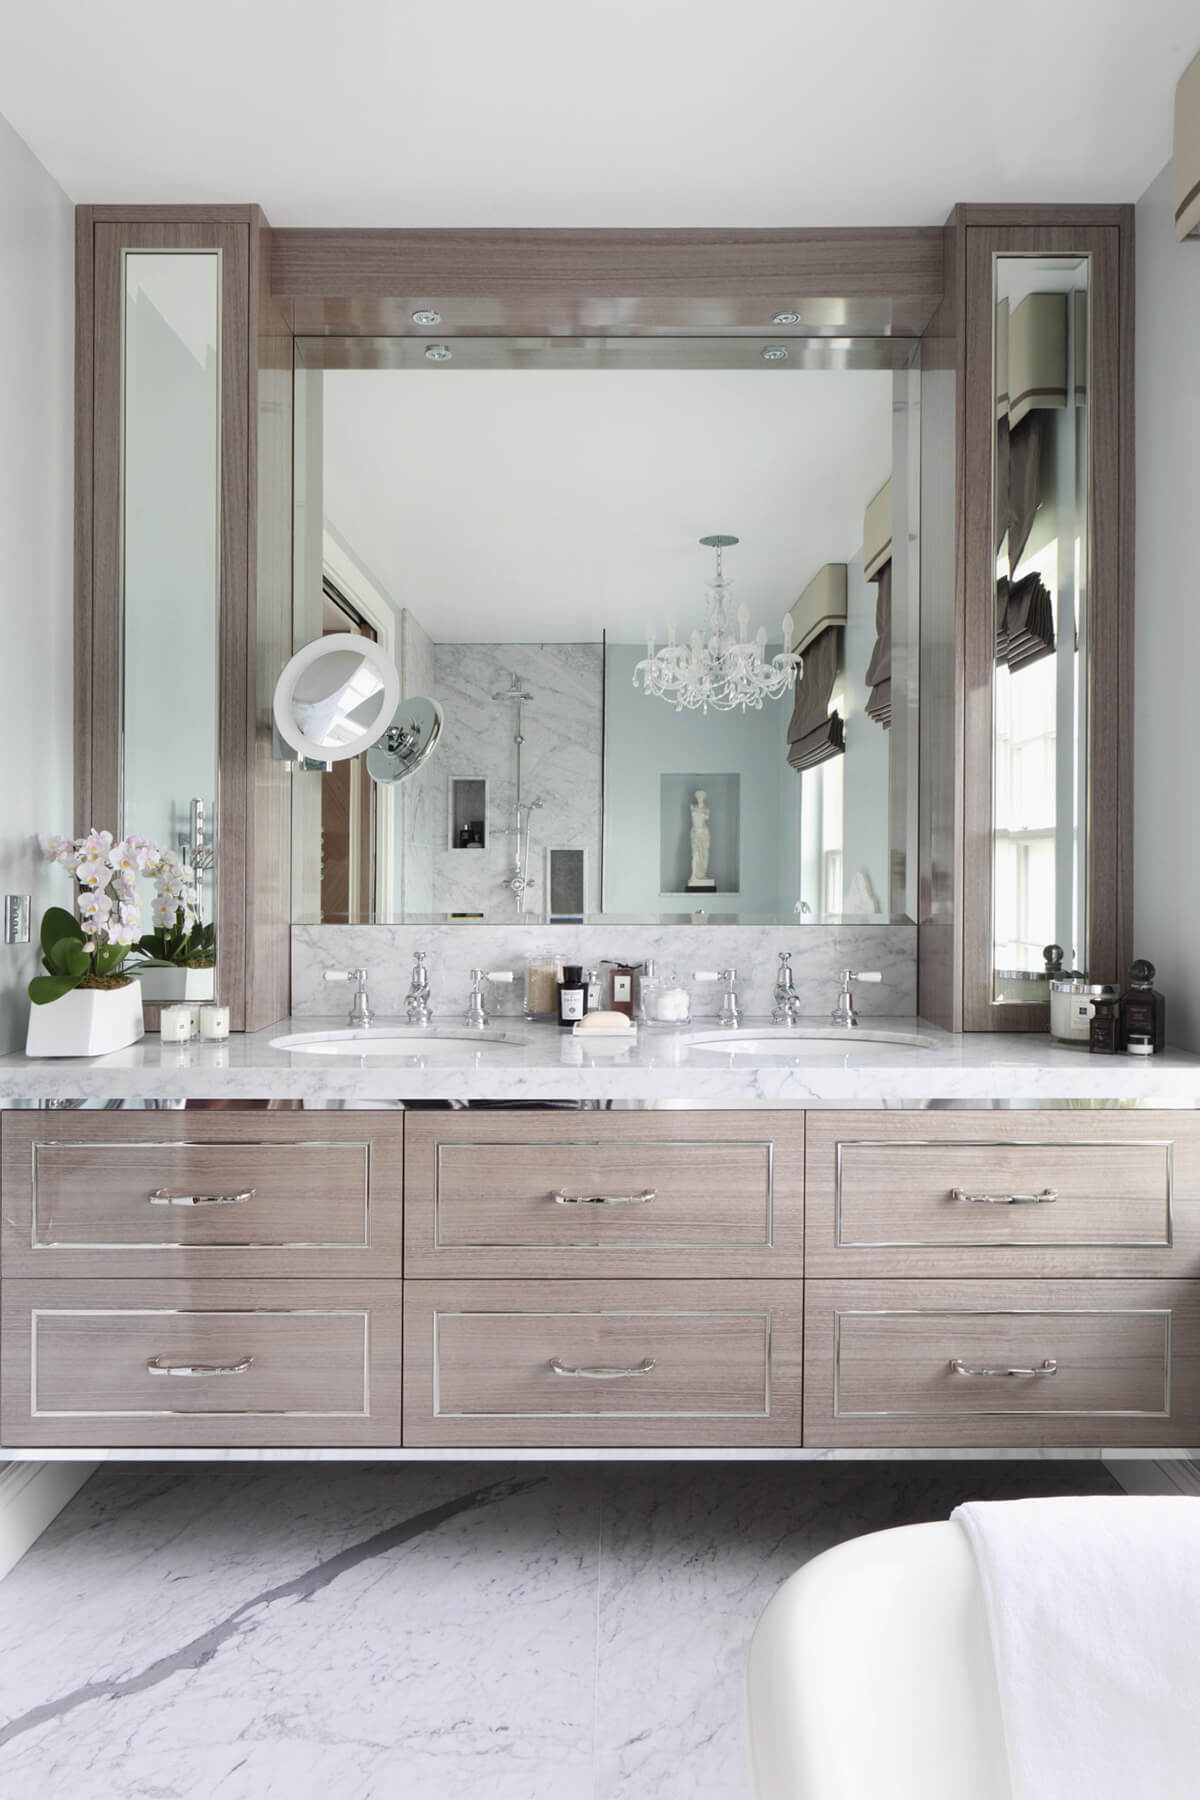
(514, 505)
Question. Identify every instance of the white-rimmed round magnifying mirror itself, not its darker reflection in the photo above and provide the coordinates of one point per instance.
(336, 697)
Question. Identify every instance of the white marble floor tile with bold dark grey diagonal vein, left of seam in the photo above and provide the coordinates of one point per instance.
(424, 1633)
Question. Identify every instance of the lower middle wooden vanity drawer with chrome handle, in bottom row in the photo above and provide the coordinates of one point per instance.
(611, 1363)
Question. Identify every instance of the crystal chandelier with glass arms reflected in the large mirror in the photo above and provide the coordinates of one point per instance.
(719, 669)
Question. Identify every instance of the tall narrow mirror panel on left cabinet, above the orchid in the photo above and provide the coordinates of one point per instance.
(170, 510)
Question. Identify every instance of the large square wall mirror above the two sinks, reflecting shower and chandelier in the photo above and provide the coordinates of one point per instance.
(519, 525)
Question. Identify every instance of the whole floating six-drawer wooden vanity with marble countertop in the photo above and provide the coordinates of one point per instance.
(793, 1254)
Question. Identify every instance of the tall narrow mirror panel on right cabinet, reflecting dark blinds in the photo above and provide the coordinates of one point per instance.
(1041, 690)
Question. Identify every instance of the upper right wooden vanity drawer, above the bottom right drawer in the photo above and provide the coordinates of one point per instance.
(976, 1194)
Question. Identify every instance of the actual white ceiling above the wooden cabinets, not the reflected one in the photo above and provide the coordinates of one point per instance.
(596, 112)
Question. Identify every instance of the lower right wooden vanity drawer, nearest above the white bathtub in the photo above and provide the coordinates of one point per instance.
(931, 1363)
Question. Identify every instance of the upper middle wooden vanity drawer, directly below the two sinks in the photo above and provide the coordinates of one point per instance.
(604, 1194)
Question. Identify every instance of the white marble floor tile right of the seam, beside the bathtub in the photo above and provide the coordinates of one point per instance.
(690, 1560)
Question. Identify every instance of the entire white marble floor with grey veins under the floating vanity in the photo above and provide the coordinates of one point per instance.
(424, 1632)
